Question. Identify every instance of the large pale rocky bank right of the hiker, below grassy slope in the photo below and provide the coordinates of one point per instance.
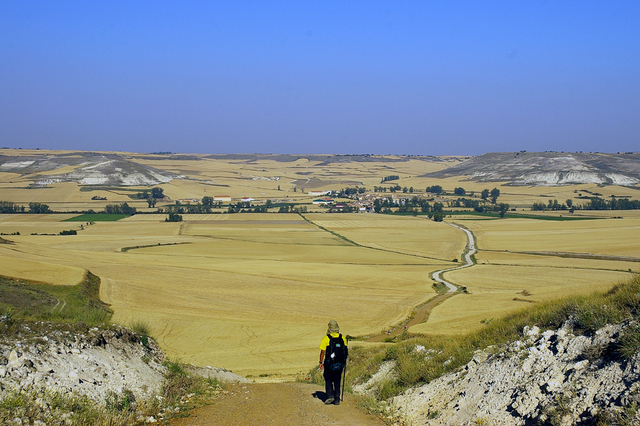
(551, 377)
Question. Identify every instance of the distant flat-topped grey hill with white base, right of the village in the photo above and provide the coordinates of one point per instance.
(549, 168)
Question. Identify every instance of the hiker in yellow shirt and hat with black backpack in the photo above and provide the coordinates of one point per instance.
(333, 359)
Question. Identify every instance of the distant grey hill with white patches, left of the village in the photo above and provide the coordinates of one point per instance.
(85, 168)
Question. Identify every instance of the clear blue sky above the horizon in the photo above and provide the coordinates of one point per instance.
(344, 77)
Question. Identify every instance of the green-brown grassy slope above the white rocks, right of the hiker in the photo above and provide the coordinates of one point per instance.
(587, 313)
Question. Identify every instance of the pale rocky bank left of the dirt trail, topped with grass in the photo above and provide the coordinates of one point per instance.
(92, 362)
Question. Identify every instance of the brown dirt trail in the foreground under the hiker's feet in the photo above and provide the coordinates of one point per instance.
(280, 404)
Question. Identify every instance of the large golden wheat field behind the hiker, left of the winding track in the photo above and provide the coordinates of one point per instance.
(250, 292)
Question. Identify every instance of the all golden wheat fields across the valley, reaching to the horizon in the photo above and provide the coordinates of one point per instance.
(253, 292)
